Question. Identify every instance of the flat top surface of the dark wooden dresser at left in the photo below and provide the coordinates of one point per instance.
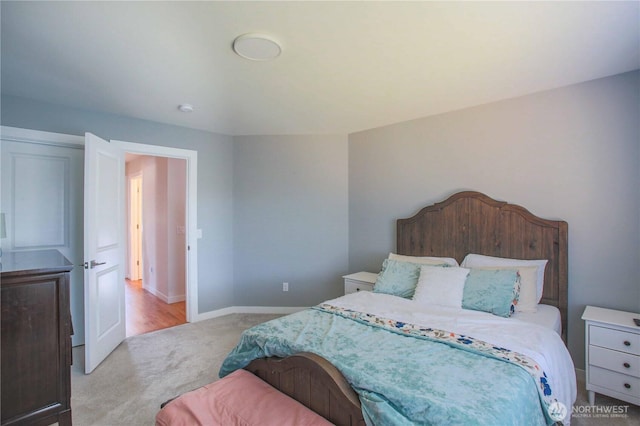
(31, 262)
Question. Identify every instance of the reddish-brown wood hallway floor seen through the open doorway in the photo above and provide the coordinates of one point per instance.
(146, 312)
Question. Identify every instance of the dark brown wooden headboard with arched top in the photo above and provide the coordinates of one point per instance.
(471, 222)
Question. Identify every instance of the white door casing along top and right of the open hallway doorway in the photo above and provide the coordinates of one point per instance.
(191, 215)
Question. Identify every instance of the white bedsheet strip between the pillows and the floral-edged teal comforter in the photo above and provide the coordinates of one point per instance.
(541, 343)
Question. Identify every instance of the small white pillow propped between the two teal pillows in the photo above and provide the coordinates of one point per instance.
(441, 286)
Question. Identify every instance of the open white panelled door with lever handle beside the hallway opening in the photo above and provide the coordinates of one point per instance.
(104, 239)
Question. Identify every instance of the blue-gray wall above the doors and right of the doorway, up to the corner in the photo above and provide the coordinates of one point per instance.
(215, 178)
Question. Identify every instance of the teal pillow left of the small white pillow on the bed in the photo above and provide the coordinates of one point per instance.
(398, 278)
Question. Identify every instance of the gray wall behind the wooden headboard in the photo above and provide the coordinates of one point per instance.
(572, 153)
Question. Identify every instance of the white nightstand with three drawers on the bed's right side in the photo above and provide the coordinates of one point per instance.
(612, 354)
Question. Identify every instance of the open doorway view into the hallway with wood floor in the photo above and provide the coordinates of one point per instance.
(155, 285)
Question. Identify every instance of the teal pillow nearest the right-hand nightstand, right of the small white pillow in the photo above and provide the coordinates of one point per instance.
(492, 290)
